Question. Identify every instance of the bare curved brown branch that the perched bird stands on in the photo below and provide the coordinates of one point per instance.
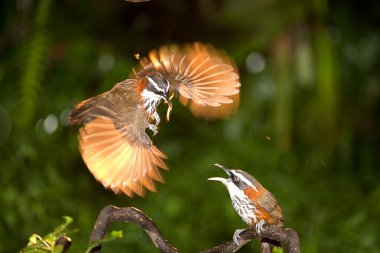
(288, 238)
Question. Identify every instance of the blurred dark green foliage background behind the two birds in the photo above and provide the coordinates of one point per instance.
(307, 128)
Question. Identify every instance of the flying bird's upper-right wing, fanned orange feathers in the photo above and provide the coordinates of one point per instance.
(205, 78)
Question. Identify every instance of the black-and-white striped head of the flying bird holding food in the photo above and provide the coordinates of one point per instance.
(156, 89)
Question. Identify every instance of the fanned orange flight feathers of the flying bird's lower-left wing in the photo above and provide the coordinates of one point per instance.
(119, 157)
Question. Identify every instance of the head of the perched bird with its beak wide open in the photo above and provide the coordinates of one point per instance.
(237, 182)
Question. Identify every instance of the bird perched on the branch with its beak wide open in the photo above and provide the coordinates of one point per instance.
(255, 204)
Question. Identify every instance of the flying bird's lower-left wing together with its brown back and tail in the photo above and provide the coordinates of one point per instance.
(113, 142)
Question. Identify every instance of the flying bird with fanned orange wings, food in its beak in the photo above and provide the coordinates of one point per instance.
(113, 141)
